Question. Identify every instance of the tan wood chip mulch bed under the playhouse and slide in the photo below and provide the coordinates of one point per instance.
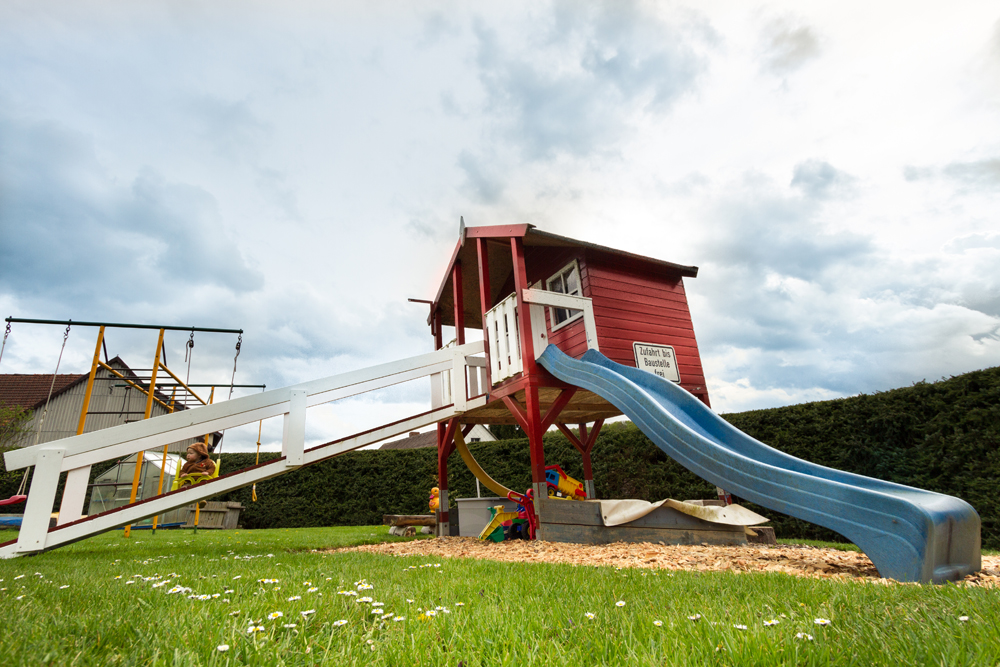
(798, 560)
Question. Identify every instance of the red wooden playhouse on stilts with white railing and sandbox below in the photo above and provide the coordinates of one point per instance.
(579, 296)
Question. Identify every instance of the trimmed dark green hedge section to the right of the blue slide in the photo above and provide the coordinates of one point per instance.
(942, 436)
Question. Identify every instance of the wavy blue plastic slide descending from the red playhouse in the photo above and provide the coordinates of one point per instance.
(909, 534)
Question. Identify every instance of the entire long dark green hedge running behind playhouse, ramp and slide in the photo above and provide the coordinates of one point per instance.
(942, 436)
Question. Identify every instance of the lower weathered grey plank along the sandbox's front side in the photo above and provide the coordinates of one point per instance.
(558, 532)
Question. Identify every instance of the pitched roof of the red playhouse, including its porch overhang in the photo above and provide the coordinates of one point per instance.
(498, 249)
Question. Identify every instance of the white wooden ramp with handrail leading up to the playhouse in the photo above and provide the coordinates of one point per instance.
(77, 454)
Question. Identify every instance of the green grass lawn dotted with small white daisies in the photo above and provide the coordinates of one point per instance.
(512, 613)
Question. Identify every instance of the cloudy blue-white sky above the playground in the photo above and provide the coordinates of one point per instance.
(298, 170)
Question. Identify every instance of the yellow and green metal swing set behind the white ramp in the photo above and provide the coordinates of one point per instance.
(71, 508)
